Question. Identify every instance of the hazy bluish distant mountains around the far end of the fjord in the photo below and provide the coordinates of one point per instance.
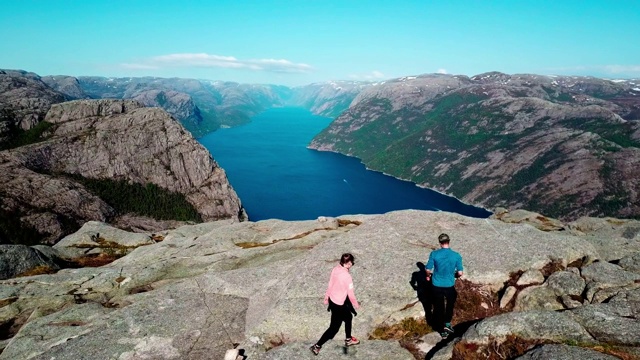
(203, 106)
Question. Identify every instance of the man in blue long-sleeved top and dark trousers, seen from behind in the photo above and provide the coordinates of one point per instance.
(443, 267)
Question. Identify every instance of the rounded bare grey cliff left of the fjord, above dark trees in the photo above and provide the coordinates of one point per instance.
(119, 140)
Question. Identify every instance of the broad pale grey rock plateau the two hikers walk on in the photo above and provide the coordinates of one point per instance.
(201, 290)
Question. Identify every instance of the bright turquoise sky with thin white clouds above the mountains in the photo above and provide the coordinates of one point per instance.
(297, 42)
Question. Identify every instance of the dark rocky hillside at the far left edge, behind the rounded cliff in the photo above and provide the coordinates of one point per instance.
(24, 101)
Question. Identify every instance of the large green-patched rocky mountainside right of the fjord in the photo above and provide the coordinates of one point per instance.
(564, 146)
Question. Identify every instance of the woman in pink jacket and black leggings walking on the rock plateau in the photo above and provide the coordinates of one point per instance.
(342, 302)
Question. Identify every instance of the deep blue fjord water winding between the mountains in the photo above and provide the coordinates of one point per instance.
(276, 176)
